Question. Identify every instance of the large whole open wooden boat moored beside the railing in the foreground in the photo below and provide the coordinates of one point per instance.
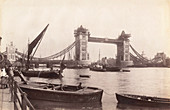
(58, 93)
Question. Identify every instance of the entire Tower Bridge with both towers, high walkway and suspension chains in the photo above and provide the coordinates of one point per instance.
(81, 55)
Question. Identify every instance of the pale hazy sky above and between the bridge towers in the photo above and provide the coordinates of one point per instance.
(148, 22)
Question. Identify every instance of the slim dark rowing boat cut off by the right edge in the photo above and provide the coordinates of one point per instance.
(142, 100)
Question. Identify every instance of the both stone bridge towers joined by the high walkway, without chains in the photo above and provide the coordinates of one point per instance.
(82, 36)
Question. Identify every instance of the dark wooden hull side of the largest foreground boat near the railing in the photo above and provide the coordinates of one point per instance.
(63, 96)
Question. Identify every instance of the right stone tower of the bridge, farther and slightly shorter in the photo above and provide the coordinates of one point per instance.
(123, 54)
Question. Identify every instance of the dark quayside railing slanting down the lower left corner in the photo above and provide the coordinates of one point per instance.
(17, 95)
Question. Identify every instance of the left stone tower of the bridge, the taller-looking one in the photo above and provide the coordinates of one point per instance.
(81, 37)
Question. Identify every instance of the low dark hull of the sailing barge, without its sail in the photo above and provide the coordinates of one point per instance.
(42, 74)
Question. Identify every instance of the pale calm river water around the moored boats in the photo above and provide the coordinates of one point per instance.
(139, 81)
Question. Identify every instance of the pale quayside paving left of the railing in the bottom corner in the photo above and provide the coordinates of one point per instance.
(5, 100)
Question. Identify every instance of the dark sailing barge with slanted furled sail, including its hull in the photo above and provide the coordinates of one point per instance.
(40, 73)
